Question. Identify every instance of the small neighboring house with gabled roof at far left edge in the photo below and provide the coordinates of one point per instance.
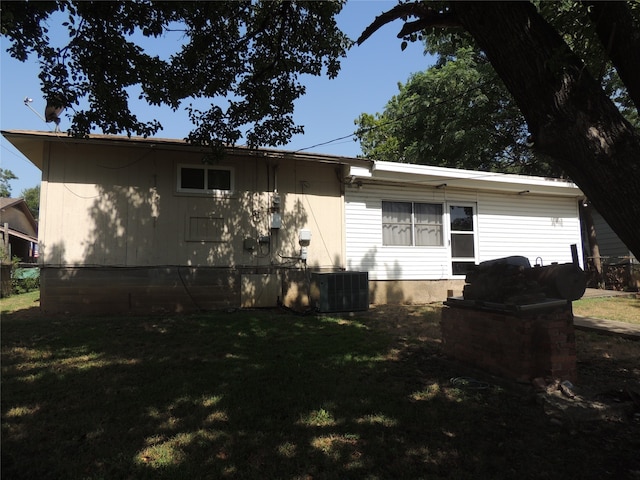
(19, 230)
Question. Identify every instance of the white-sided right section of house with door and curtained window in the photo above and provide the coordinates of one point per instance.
(417, 229)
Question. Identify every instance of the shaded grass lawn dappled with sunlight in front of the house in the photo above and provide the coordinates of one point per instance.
(262, 395)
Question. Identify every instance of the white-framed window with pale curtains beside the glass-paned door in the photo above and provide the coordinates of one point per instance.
(412, 224)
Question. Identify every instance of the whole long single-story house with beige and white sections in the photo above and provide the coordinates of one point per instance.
(133, 224)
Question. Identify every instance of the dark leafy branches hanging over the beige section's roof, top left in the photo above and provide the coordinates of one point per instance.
(245, 56)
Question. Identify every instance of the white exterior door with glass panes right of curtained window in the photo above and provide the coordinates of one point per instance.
(463, 244)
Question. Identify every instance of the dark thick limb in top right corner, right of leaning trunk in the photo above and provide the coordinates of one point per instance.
(620, 37)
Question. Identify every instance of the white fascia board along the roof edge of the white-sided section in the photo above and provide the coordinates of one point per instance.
(467, 179)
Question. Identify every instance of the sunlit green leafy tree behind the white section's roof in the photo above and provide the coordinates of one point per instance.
(456, 114)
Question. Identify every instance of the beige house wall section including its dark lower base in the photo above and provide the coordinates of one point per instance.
(119, 236)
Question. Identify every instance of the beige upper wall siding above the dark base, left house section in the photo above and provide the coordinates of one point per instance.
(135, 217)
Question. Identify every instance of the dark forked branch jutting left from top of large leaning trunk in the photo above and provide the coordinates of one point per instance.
(427, 18)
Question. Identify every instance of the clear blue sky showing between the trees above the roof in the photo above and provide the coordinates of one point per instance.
(368, 78)
